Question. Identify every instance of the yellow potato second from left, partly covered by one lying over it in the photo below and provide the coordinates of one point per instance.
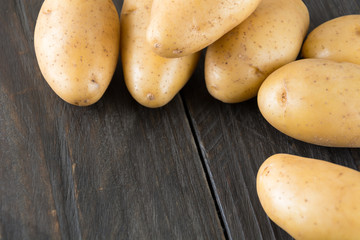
(152, 80)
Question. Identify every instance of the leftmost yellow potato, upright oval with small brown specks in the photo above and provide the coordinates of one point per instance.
(77, 47)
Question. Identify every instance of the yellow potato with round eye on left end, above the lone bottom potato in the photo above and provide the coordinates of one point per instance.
(314, 100)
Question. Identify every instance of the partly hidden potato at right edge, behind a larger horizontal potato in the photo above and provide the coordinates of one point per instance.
(337, 39)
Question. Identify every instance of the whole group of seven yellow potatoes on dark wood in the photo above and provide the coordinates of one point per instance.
(251, 50)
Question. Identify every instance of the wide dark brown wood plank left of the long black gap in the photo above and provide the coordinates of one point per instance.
(114, 170)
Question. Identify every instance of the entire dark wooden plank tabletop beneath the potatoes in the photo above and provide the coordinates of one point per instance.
(117, 170)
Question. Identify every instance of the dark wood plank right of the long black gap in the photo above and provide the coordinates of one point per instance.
(235, 139)
